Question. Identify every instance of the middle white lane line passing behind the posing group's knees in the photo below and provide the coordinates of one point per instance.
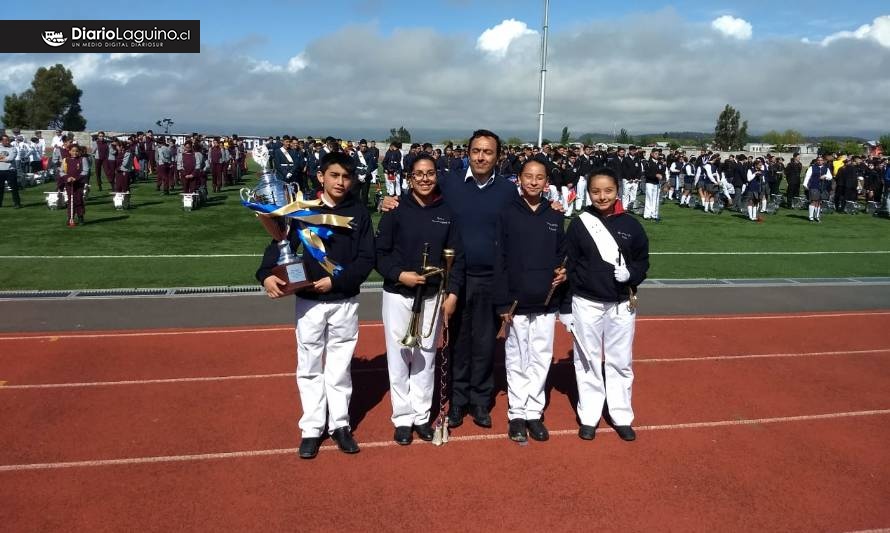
(292, 375)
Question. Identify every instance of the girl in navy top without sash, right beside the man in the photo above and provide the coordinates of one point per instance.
(529, 250)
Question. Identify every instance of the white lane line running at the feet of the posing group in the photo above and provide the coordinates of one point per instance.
(389, 444)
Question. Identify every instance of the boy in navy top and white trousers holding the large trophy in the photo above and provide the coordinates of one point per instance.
(338, 254)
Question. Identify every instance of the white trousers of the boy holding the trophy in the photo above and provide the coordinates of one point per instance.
(327, 333)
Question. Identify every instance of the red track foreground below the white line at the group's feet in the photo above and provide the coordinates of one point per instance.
(800, 476)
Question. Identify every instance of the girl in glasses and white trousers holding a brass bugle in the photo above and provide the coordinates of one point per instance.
(422, 224)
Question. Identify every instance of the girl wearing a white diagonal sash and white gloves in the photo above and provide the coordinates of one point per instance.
(608, 253)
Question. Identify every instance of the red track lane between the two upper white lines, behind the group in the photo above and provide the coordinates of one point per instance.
(66, 359)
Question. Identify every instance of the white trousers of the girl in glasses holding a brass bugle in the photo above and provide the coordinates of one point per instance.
(411, 370)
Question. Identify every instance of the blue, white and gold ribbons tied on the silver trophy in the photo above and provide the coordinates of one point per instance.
(274, 198)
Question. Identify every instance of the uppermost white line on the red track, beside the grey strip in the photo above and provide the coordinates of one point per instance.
(378, 324)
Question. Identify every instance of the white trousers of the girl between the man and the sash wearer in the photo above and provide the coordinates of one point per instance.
(529, 352)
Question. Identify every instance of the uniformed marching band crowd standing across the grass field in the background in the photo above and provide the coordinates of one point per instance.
(749, 185)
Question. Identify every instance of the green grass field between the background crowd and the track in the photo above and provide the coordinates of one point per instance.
(156, 225)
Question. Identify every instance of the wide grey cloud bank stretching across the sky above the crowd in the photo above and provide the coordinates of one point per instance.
(646, 73)
